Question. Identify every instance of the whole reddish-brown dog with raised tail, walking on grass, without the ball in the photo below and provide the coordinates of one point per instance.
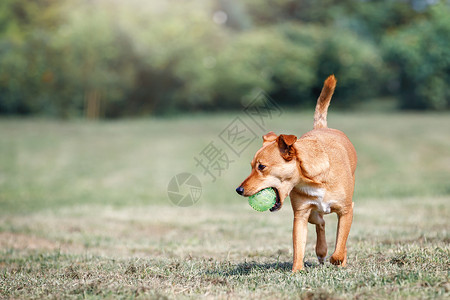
(317, 171)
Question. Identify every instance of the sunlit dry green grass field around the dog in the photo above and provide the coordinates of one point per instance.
(84, 213)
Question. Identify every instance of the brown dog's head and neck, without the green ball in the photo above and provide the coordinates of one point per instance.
(282, 163)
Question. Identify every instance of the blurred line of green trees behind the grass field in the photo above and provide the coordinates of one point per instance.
(112, 58)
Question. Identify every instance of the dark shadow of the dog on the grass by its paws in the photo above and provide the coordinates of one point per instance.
(246, 268)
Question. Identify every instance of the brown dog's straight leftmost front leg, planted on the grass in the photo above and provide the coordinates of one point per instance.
(299, 235)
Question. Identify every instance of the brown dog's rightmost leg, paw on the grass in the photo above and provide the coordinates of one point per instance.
(339, 256)
